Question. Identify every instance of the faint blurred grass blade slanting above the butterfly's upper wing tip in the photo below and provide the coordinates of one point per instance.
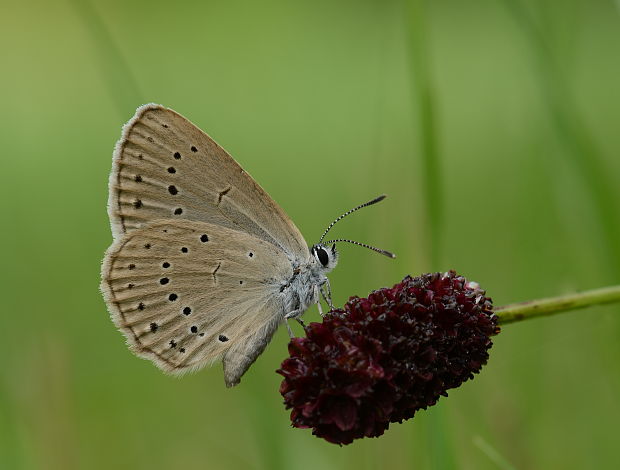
(122, 85)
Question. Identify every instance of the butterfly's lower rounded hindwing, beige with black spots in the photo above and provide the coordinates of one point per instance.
(186, 293)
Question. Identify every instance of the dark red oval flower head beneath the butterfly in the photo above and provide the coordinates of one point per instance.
(382, 358)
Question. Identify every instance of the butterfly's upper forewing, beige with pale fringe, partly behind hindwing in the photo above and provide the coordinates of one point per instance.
(167, 168)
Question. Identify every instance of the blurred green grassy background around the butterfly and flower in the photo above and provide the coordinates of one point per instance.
(493, 127)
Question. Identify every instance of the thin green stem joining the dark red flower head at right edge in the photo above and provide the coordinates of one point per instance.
(545, 307)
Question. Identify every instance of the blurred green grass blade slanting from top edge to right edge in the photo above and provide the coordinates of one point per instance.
(580, 147)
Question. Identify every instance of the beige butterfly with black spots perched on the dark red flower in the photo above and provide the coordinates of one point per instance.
(204, 264)
